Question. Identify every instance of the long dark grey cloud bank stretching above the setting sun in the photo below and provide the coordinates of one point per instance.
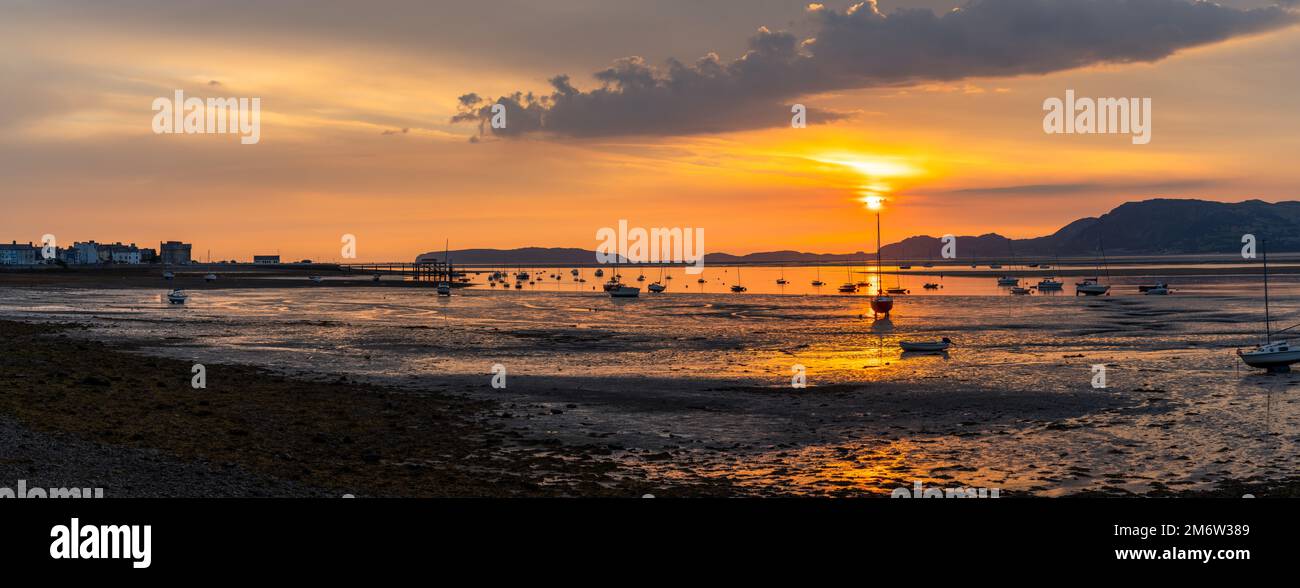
(863, 47)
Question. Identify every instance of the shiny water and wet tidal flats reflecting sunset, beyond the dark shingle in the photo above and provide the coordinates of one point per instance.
(1177, 409)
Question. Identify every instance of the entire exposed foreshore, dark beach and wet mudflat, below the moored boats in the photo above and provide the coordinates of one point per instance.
(600, 422)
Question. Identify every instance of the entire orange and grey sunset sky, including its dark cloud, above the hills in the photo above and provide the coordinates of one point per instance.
(358, 100)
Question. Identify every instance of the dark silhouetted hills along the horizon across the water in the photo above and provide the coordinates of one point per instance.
(1158, 227)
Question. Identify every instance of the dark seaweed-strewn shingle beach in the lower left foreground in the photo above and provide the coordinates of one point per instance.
(70, 403)
